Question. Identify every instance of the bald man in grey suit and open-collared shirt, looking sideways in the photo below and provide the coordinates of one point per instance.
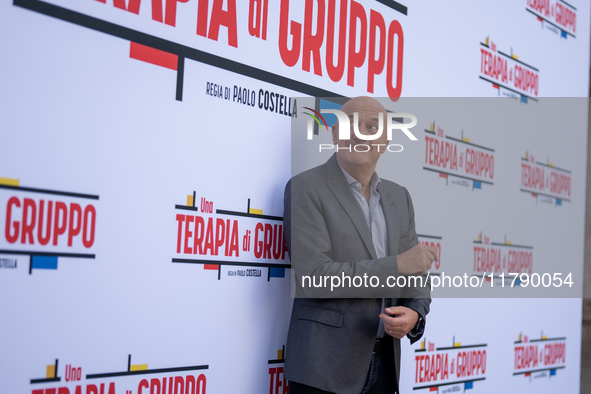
(342, 220)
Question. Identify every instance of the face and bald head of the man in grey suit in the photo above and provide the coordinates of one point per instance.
(369, 111)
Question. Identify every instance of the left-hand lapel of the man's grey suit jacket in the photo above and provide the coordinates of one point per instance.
(337, 183)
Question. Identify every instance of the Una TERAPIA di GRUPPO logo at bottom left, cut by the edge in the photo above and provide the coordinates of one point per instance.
(175, 380)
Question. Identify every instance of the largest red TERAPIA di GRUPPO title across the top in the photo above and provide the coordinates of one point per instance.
(311, 41)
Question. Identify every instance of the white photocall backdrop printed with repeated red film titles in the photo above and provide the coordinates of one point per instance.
(175, 278)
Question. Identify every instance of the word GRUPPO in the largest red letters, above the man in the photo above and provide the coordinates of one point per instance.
(354, 21)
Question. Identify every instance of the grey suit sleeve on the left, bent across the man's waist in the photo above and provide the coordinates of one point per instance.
(310, 248)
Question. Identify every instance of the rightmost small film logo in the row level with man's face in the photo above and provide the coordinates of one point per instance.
(545, 181)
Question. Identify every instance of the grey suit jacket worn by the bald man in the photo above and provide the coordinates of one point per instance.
(330, 340)
